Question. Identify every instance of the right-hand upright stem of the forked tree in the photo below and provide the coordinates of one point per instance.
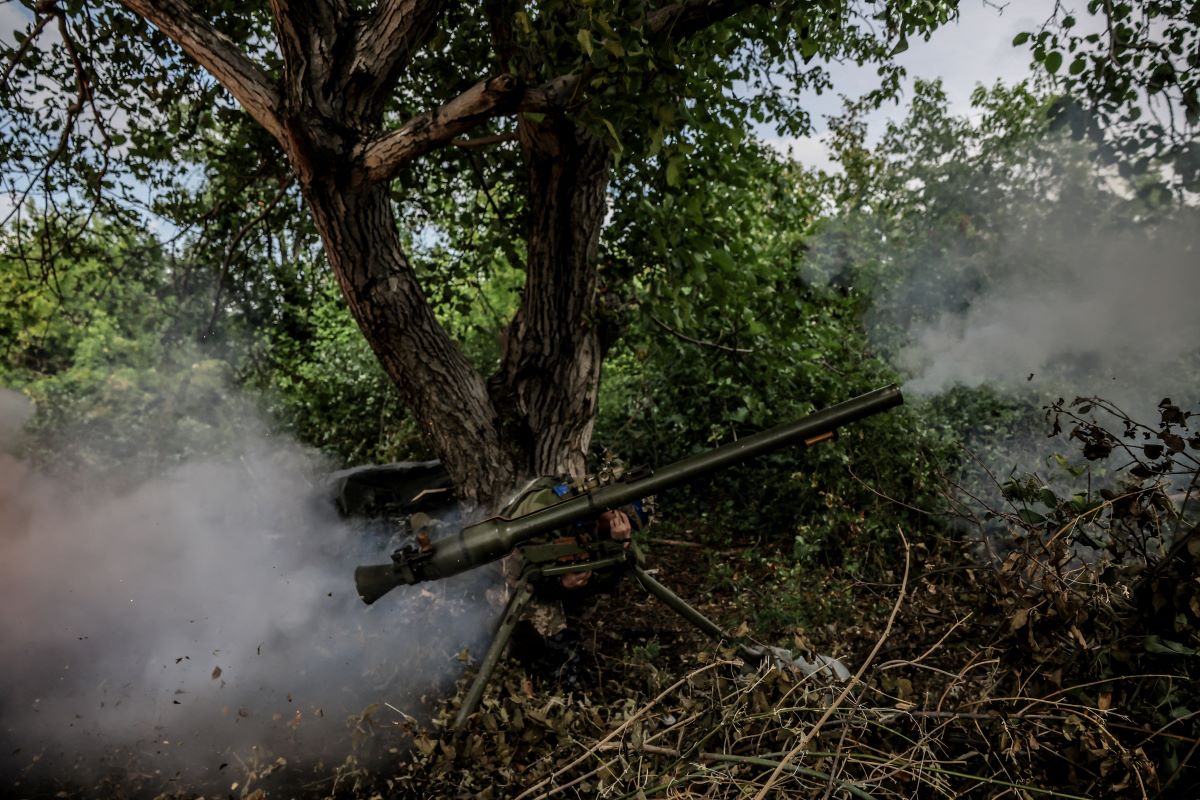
(548, 387)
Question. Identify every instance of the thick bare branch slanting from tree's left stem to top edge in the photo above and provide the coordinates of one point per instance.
(217, 53)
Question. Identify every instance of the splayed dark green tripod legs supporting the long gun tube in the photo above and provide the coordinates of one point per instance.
(543, 563)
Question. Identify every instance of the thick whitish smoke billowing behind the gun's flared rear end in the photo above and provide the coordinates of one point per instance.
(202, 619)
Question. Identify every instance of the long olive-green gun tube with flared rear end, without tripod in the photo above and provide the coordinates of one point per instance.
(494, 539)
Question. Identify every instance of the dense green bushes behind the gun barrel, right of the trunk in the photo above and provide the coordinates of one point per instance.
(730, 339)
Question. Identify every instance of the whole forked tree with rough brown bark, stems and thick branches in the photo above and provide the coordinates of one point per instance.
(535, 417)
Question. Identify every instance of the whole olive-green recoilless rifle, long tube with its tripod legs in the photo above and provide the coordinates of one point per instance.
(575, 552)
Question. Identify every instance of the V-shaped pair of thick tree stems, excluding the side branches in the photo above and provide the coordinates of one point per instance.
(535, 417)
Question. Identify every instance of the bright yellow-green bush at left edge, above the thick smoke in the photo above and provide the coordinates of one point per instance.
(91, 342)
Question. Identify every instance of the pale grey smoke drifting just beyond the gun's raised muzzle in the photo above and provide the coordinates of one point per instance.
(1089, 312)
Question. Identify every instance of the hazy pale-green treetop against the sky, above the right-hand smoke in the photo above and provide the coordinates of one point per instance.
(927, 219)
